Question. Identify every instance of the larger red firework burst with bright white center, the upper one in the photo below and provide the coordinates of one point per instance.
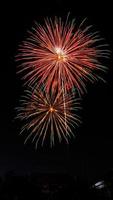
(60, 55)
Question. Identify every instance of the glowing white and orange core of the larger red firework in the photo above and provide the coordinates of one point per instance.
(60, 54)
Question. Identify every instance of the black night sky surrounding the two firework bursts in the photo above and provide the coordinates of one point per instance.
(91, 153)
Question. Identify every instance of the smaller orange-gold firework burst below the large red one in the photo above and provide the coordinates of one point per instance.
(43, 116)
